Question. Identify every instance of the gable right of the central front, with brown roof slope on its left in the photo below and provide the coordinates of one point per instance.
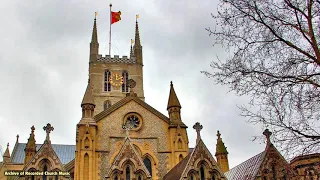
(181, 169)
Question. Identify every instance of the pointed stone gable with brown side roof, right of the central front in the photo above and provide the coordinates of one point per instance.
(191, 162)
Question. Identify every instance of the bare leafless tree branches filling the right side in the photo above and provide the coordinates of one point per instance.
(275, 59)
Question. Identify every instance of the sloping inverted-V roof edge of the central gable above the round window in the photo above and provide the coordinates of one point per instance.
(126, 100)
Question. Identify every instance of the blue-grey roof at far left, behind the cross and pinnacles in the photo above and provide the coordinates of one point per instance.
(66, 153)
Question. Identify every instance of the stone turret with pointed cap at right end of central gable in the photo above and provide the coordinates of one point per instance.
(177, 129)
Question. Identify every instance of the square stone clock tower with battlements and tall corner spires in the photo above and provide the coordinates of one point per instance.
(109, 75)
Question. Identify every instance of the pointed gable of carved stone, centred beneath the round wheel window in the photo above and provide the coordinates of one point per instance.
(128, 153)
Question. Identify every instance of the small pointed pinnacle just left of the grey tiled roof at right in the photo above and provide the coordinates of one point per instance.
(222, 154)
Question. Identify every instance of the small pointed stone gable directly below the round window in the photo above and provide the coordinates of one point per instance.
(123, 154)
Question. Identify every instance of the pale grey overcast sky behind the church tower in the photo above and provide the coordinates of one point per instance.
(44, 67)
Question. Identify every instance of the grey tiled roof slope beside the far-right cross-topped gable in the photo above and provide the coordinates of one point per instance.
(246, 170)
